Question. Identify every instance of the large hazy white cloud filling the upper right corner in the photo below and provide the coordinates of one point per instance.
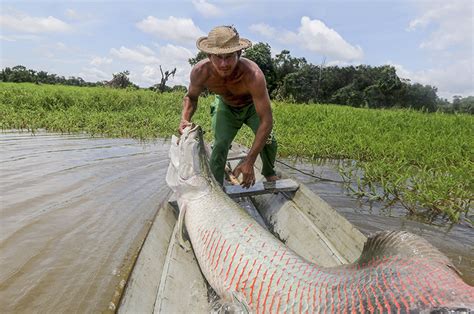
(448, 46)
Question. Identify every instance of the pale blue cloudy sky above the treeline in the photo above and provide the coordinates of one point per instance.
(428, 41)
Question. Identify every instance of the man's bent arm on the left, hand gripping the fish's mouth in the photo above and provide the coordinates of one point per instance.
(190, 100)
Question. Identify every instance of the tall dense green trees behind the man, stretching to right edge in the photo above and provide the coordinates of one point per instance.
(298, 81)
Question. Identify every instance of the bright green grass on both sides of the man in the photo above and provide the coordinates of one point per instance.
(425, 161)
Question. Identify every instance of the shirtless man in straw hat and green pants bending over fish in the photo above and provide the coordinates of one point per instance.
(241, 97)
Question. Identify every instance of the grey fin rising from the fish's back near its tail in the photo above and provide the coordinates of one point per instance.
(403, 244)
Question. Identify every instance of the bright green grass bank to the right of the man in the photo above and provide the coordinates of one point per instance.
(424, 161)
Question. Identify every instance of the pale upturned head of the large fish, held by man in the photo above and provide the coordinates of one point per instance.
(188, 172)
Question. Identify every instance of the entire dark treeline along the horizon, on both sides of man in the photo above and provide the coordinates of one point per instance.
(295, 80)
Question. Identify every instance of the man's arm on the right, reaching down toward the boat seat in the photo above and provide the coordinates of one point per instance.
(261, 100)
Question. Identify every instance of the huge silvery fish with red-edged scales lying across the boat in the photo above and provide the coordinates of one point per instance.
(396, 272)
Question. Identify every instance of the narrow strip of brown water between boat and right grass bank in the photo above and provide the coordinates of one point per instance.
(456, 241)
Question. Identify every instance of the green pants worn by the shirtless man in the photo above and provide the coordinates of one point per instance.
(226, 121)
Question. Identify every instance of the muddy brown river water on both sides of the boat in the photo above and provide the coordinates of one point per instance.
(74, 210)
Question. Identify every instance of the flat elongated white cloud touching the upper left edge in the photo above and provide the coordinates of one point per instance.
(29, 24)
